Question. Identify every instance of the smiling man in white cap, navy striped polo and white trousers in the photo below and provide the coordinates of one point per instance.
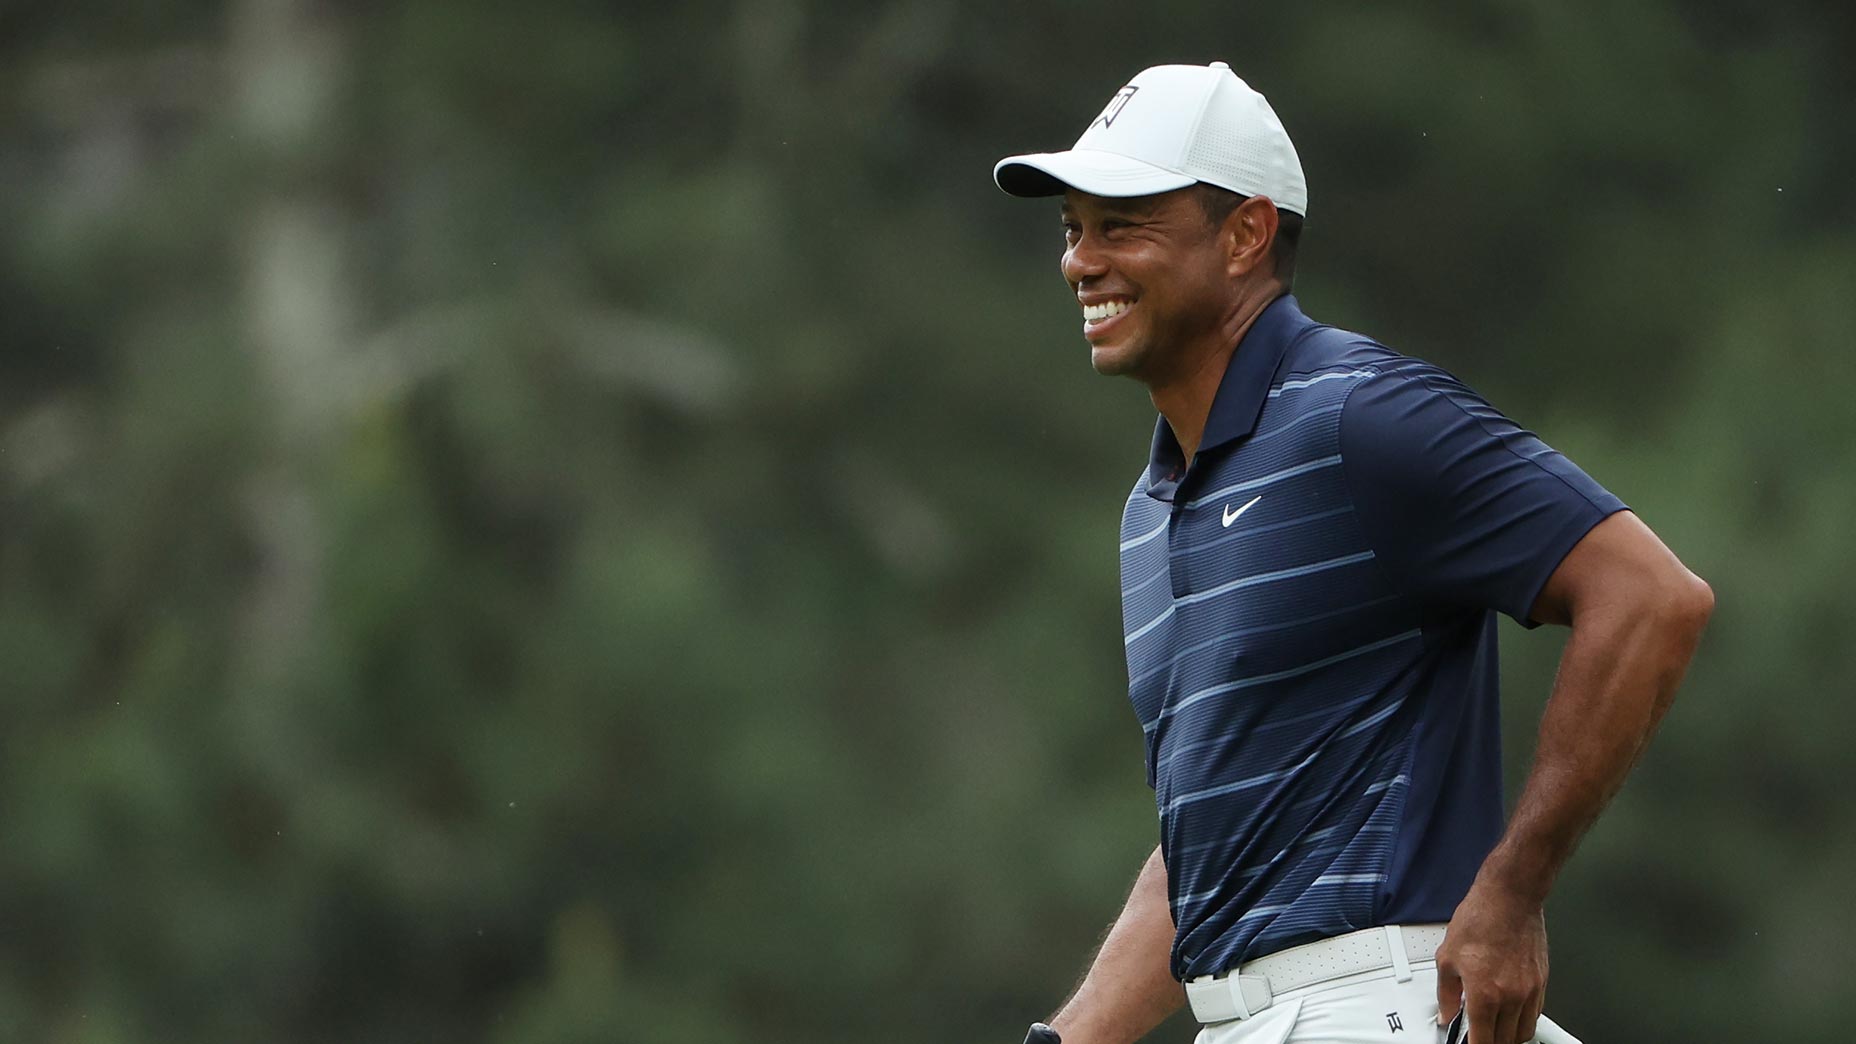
(1311, 566)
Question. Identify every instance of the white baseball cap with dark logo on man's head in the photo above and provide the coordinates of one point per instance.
(1170, 127)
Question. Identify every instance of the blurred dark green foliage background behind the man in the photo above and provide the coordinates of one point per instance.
(558, 523)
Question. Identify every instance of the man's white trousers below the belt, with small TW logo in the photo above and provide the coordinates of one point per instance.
(1371, 1008)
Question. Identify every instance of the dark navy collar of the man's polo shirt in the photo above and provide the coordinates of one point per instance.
(1241, 395)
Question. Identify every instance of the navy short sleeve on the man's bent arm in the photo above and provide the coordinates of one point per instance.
(1460, 504)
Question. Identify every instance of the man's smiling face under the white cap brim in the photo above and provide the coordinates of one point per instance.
(1150, 274)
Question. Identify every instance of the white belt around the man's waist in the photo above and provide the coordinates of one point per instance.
(1254, 985)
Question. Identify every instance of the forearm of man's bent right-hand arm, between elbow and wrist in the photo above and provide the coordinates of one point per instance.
(1618, 677)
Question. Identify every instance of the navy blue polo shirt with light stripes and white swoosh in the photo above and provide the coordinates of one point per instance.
(1309, 621)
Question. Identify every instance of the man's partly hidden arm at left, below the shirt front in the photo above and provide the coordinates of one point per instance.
(1129, 987)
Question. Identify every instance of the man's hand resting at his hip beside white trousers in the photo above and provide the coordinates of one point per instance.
(1493, 963)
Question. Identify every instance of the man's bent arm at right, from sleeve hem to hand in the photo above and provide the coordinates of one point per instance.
(1636, 620)
